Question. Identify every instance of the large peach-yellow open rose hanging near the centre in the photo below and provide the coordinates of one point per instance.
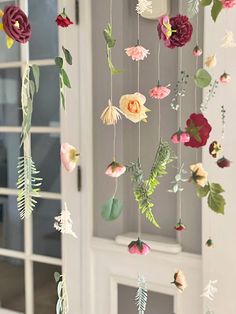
(133, 108)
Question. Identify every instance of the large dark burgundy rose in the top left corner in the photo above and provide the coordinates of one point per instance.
(16, 24)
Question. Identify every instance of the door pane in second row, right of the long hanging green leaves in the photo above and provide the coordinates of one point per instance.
(47, 102)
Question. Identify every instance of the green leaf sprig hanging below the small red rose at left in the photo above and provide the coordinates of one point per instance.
(64, 80)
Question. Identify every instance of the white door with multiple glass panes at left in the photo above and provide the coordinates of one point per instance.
(32, 250)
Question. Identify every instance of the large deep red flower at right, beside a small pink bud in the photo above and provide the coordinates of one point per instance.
(199, 130)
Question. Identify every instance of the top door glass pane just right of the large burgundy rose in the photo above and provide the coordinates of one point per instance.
(44, 41)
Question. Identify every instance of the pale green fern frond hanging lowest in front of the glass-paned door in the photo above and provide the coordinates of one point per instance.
(28, 186)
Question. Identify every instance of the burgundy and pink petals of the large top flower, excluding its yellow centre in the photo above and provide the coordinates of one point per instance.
(182, 31)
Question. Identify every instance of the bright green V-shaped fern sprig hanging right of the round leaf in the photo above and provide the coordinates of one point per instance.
(143, 189)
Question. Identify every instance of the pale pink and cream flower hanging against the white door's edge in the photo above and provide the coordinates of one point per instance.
(69, 156)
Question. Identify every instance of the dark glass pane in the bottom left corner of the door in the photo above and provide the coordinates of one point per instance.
(12, 286)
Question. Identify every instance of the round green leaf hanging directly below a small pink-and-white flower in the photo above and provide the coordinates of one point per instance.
(112, 209)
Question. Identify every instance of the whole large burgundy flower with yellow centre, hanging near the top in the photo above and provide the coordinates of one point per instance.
(176, 31)
